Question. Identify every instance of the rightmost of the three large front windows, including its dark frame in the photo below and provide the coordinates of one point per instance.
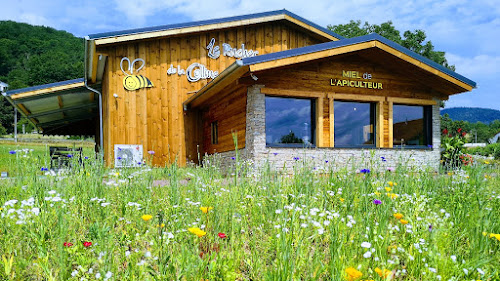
(412, 125)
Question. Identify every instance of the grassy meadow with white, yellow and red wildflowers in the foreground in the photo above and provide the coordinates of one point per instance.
(197, 223)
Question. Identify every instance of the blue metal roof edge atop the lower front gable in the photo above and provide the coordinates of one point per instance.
(352, 41)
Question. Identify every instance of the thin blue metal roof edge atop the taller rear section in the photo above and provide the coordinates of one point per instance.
(207, 22)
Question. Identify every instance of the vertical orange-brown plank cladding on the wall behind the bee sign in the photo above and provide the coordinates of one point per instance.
(154, 117)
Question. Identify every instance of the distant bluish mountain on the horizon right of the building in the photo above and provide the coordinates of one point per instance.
(472, 114)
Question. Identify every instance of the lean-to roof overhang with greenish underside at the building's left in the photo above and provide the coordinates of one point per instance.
(53, 106)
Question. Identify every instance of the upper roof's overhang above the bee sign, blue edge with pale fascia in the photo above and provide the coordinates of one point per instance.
(209, 25)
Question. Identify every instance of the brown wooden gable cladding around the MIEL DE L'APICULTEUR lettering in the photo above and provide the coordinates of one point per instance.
(401, 81)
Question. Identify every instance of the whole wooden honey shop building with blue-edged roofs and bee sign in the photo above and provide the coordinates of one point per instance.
(273, 82)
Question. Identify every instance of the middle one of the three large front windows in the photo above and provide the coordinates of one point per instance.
(354, 124)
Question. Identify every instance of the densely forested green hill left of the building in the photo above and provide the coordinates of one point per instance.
(35, 55)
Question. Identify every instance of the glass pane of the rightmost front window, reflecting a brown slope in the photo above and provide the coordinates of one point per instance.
(408, 125)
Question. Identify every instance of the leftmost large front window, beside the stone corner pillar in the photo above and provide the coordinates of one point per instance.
(290, 122)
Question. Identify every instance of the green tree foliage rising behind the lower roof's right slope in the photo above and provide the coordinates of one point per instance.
(412, 40)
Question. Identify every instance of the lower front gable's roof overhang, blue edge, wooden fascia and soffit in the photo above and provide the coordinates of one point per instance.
(321, 51)
